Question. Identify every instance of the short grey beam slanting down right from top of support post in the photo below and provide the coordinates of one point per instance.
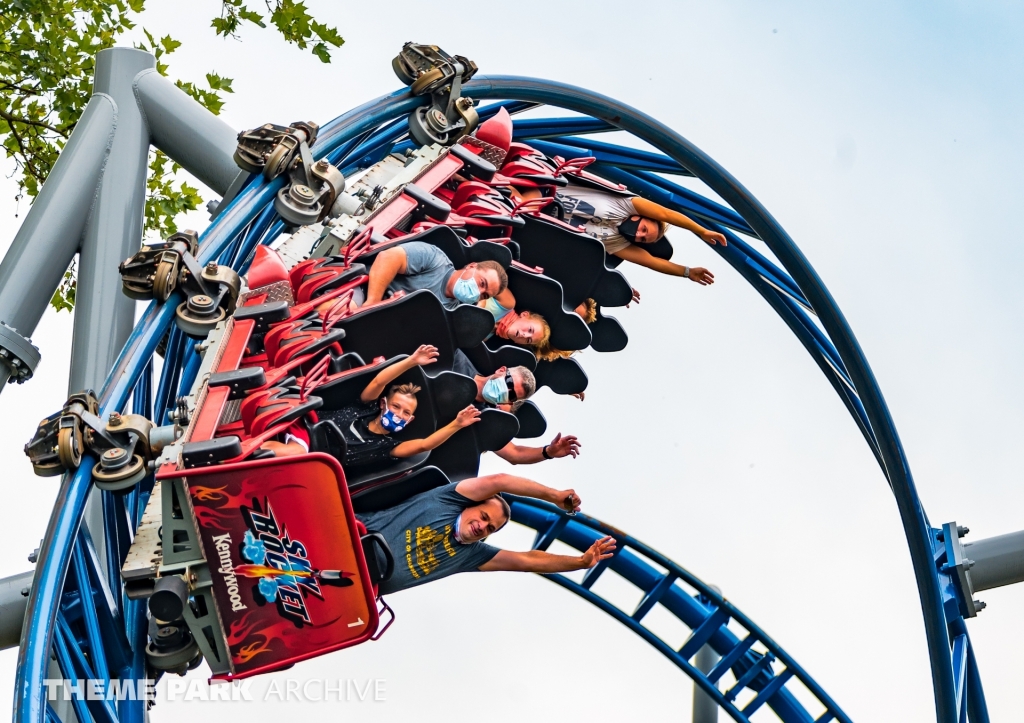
(190, 135)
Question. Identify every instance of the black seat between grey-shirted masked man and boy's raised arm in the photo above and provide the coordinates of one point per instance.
(400, 326)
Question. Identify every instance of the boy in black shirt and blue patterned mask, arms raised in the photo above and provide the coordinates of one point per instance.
(368, 427)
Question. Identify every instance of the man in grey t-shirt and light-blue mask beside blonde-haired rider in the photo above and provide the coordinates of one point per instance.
(419, 266)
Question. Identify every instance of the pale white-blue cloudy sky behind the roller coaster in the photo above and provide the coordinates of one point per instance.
(885, 138)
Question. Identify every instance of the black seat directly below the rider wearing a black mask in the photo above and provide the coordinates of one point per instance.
(575, 261)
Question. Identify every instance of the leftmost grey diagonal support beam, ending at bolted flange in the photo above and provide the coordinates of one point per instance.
(50, 237)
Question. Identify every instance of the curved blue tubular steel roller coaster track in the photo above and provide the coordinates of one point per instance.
(77, 610)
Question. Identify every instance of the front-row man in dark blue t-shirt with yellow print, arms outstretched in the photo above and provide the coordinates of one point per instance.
(441, 532)
